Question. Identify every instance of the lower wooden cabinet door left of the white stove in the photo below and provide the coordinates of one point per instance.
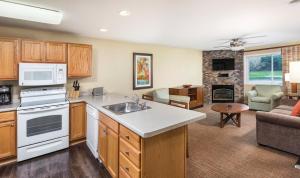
(8, 139)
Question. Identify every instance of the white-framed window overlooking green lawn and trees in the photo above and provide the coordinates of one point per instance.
(263, 68)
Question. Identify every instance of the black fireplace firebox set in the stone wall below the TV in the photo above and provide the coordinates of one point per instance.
(222, 93)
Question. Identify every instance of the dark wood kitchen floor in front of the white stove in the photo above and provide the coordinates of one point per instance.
(75, 162)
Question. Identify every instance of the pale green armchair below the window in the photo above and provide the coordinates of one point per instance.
(264, 97)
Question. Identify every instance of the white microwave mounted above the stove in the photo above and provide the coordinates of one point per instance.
(37, 74)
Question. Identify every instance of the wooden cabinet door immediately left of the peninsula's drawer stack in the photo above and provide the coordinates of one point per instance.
(112, 153)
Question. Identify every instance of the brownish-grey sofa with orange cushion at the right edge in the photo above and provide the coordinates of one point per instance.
(278, 129)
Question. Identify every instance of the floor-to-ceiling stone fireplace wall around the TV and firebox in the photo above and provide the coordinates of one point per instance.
(233, 78)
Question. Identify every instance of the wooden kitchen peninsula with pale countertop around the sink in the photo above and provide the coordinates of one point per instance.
(148, 143)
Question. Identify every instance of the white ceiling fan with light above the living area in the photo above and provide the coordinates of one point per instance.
(237, 44)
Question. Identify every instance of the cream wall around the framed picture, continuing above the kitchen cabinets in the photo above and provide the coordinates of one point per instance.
(112, 61)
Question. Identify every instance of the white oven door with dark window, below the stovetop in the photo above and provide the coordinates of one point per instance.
(42, 124)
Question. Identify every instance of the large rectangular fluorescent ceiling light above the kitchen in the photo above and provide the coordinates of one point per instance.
(30, 13)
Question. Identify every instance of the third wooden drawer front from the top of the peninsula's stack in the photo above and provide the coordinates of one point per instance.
(129, 167)
